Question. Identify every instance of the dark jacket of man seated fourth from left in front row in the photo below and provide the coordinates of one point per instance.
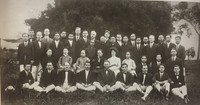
(82, 79)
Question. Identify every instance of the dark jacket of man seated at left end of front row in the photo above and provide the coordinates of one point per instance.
(24, 78)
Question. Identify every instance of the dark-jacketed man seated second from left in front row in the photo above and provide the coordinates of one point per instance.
(47, 80)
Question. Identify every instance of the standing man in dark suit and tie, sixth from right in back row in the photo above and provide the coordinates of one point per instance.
(137, 51)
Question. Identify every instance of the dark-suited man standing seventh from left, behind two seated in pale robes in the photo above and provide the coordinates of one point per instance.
(71, 45)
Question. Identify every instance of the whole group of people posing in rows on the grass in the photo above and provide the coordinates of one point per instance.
(78, 61)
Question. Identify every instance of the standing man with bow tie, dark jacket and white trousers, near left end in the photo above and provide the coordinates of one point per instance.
(38, 52)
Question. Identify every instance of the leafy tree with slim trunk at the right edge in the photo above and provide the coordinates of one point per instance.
(190, 13)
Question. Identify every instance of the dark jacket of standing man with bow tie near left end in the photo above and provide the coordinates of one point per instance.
(38, 52)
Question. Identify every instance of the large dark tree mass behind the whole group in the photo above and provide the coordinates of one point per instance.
(118, 16)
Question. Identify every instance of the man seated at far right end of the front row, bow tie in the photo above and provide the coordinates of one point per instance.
(178, 84)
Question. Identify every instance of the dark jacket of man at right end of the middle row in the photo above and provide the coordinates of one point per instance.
(169, 65)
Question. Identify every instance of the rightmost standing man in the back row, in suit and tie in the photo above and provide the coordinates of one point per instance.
(179, 48)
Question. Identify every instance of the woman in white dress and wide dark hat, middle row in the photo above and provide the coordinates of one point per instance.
(115, 62)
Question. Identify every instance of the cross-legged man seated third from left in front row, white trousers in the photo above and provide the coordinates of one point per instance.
(66, 80)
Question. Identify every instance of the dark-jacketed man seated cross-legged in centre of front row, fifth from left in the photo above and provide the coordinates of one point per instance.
(105, 79)
